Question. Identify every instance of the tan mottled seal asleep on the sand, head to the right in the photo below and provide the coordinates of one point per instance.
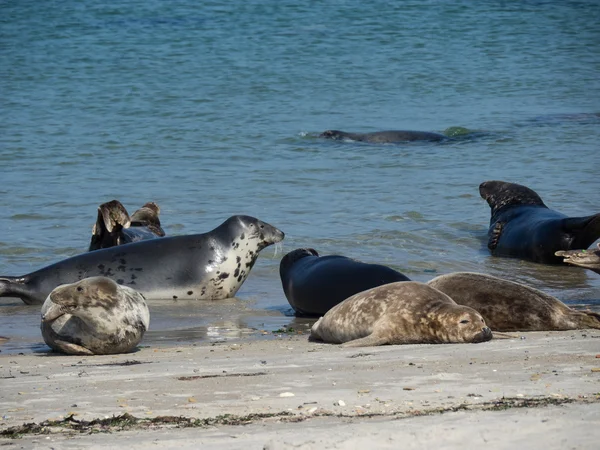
(405, 312)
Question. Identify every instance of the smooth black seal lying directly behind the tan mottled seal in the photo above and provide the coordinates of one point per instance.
(314, 284)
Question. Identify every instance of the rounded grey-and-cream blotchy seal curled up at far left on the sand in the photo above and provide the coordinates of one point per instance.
(94, 316)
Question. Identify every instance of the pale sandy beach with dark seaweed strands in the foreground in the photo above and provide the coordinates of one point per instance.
(536, 390)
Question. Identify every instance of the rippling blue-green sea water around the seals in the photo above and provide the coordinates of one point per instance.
(212, 109)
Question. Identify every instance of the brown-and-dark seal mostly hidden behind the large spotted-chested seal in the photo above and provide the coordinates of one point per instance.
(114, 226)
